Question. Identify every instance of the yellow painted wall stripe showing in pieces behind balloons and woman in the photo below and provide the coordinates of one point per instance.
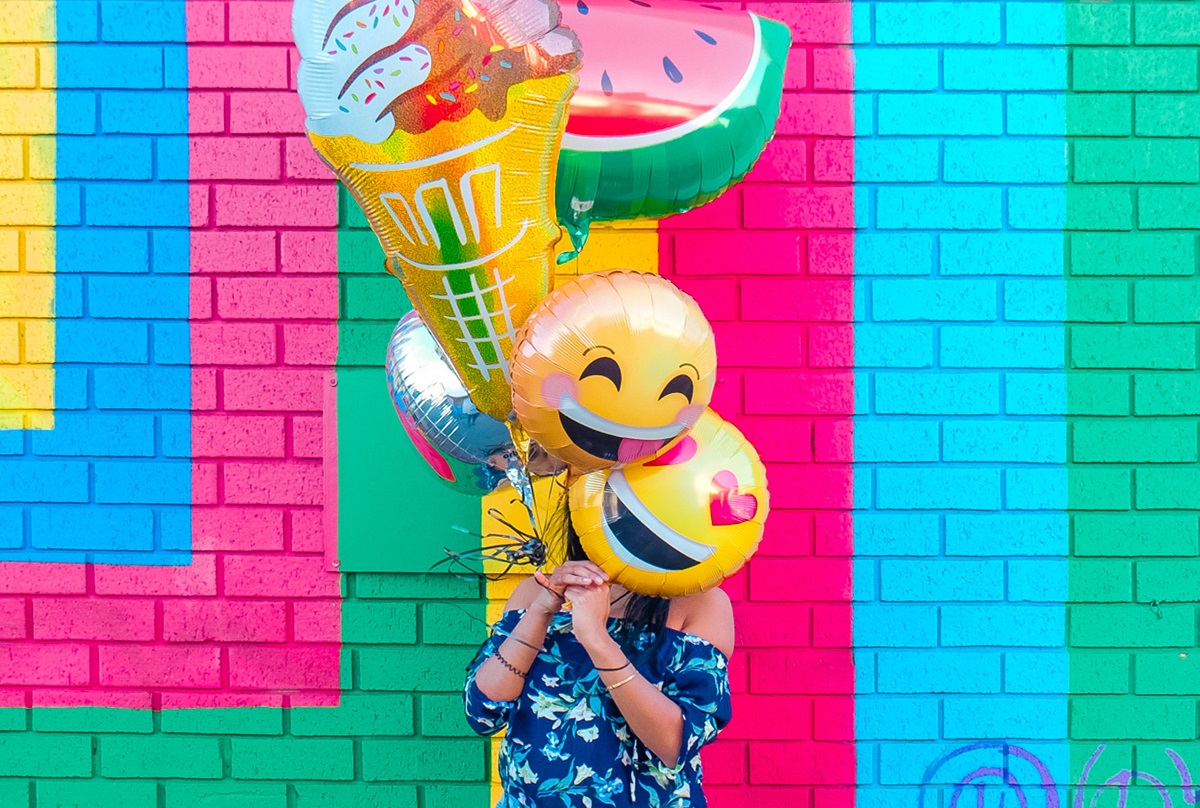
(610, 247)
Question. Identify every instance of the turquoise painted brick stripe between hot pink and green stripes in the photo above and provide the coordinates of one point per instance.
(961, 532)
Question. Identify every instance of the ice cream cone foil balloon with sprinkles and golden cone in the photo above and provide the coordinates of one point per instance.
(445, 118)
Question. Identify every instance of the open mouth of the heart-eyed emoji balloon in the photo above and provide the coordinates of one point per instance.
(640, 538)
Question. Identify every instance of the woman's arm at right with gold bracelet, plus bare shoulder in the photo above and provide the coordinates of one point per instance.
(655, 719)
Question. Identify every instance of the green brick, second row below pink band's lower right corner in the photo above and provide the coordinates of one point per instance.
(272, 759)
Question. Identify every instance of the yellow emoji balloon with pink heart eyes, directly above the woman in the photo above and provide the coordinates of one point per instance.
(680, 523)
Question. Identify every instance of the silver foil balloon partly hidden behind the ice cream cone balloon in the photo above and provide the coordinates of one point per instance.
(465, 447)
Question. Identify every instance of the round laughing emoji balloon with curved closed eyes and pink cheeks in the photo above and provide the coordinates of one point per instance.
(613, 367)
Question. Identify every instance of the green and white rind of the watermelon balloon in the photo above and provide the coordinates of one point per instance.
(705, 158)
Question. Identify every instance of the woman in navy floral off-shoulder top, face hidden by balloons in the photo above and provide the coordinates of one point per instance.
(607, 704)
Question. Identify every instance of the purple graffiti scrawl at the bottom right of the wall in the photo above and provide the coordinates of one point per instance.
(992, 775)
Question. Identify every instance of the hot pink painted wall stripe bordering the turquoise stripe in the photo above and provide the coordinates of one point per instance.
(772, 265)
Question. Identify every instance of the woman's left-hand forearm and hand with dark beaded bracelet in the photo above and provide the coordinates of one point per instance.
(541, 600)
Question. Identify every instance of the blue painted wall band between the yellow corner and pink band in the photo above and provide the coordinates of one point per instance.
(118, 462)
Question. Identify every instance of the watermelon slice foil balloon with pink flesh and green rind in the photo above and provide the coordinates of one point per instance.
(676, 103)
